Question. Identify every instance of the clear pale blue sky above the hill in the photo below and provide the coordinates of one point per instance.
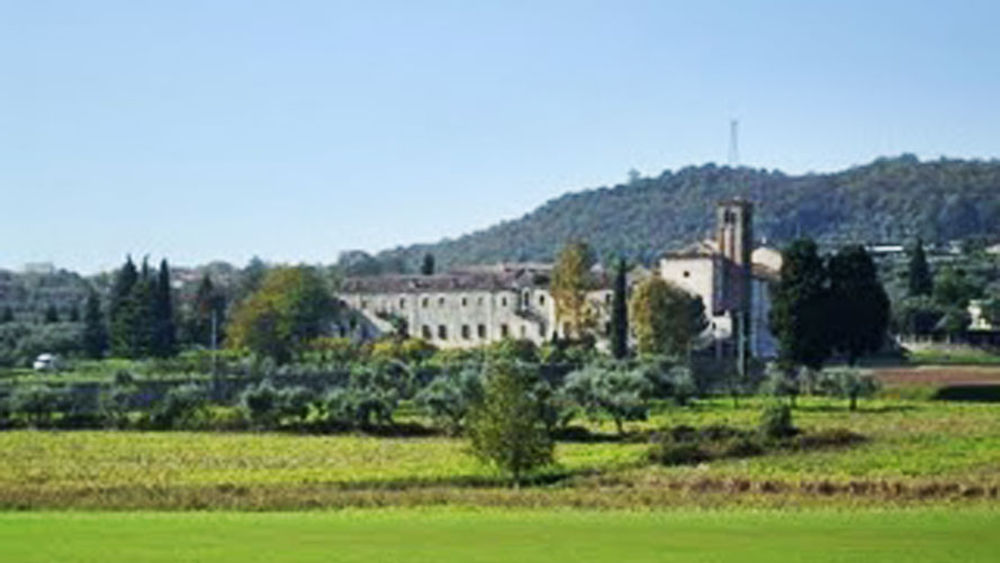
(294, 130)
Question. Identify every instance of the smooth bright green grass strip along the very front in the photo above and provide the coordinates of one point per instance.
(443, 535)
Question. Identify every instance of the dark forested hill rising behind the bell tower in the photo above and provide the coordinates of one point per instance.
(889, 200)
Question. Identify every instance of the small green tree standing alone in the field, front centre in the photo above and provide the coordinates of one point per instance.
(506, 428)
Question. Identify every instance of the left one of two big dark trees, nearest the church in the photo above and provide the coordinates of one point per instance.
(799, 307)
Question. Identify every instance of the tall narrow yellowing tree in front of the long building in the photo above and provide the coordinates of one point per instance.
(570, 284)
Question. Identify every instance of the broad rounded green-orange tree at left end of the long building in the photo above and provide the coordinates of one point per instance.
(292, 307)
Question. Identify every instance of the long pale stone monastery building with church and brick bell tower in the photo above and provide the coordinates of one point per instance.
(480, 305)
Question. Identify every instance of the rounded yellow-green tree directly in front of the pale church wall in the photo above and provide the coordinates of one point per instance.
(666, 319)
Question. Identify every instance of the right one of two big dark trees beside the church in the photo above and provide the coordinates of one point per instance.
(859, 306)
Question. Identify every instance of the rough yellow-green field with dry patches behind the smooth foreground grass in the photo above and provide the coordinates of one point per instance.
(915, 450)
